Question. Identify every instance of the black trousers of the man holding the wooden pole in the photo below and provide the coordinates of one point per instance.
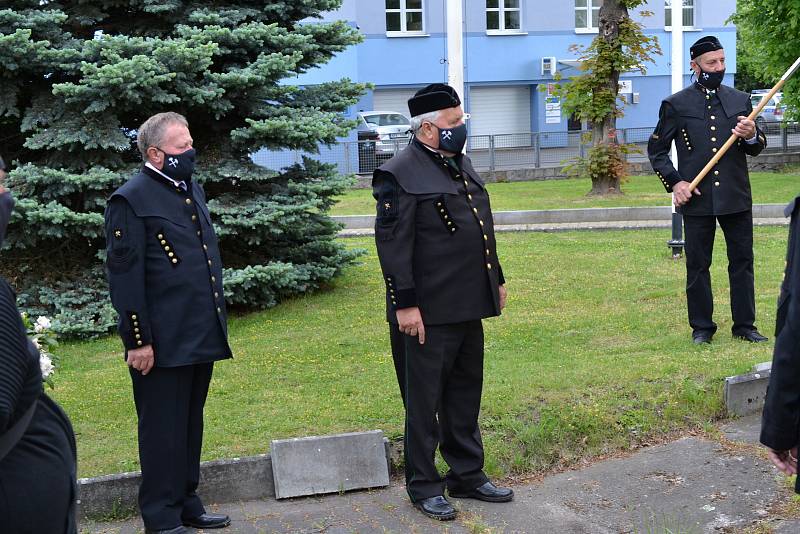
(700, 232)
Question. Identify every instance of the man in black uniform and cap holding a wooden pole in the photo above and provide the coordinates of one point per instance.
(700, 118)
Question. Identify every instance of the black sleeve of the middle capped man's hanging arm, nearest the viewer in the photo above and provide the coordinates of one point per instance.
(394, 238)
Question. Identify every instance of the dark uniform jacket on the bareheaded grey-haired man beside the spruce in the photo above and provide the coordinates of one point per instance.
(164, 271)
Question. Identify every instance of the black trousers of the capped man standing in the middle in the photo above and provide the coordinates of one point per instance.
(441, 383)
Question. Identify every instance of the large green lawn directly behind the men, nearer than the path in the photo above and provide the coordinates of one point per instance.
(589, 358)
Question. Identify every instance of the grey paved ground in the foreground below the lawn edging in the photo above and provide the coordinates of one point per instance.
(689, 485)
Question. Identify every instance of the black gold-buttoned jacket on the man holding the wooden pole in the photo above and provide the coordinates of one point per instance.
(700, 124)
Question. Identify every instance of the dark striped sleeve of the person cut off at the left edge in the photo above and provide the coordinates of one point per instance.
(14, 357)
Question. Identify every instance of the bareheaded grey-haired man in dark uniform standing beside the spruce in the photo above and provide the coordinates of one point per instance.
(165, 275)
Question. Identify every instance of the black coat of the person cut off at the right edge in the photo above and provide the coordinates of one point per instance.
(780, 426)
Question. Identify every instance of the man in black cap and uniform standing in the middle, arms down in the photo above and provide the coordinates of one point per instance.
(436, 246)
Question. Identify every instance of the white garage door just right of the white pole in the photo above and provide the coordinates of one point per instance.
(502, 112)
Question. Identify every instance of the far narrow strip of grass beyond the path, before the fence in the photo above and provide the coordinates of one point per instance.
(768, 188)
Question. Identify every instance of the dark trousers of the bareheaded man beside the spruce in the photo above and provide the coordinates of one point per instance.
(169, 403)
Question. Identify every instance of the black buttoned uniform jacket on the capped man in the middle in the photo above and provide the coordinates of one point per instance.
(435, 238)
